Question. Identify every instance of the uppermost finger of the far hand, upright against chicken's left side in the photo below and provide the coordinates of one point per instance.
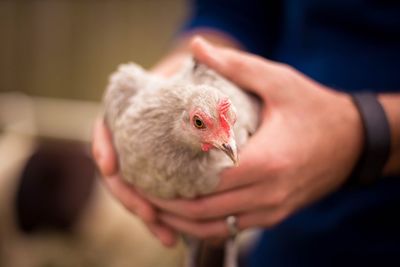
(103, 150)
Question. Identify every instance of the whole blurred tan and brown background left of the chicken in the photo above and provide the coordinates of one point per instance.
(55, 58)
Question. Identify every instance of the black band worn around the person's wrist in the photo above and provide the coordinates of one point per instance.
(376, 148)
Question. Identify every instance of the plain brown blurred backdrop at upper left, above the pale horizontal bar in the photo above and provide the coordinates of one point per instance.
(67, 48)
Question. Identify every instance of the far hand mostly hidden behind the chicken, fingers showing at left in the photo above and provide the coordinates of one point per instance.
(106, 159)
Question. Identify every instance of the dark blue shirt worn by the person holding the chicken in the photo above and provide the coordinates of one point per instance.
(349, 45)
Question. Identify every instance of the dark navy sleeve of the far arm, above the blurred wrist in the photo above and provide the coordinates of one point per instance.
(253, 23)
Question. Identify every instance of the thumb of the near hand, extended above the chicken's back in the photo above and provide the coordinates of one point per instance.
(246, 70)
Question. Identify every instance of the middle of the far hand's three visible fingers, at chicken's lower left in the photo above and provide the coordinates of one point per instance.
(130, 198)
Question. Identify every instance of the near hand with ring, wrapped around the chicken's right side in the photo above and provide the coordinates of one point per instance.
(309, 140)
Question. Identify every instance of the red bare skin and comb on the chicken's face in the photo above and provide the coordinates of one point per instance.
(214, 132)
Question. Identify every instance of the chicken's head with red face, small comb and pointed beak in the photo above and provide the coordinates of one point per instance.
(209, 121)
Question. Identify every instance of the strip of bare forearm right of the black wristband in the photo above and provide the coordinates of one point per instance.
(391, 105)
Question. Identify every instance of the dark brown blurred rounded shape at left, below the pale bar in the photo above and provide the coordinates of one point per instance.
(55, 185)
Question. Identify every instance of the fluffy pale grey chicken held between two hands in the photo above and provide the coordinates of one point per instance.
(174, 136)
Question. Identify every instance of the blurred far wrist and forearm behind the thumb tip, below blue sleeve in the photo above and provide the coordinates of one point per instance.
(172, 62)
